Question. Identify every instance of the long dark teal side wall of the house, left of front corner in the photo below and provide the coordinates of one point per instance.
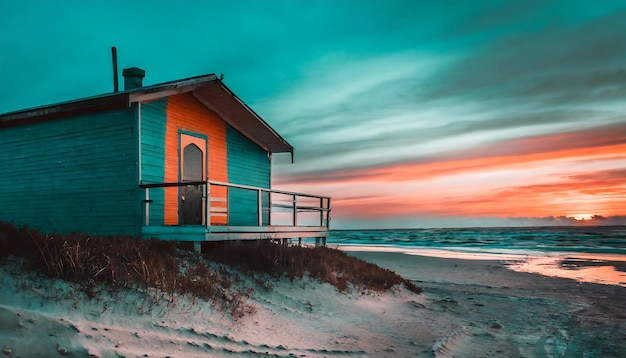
(73, 174)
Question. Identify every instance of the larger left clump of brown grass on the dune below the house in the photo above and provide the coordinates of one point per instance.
(117, 262)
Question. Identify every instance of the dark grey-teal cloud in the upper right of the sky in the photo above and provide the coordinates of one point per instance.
(561, 64)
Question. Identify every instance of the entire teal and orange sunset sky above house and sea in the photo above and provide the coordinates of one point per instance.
(407, 113)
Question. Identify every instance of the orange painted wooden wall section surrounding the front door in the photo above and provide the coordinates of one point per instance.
(185, 113)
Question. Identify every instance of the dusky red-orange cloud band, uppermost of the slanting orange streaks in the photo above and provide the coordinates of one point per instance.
(605, 142)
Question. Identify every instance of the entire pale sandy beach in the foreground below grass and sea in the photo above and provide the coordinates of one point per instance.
(469, 308)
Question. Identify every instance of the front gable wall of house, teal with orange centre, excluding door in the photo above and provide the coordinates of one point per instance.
(231, 158)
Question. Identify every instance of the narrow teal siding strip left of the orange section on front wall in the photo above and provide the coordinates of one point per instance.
(153, 121)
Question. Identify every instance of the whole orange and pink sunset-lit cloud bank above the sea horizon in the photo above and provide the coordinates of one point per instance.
(533, 177)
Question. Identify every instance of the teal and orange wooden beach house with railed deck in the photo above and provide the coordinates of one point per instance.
(184, 160)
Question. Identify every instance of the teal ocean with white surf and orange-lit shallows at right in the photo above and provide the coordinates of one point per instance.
(583, 253)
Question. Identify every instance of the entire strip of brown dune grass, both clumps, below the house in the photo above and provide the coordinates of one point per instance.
(114, 263)
